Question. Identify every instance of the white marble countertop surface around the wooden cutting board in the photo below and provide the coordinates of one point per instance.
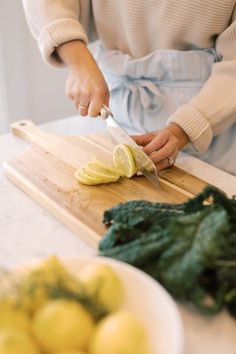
(29, 233)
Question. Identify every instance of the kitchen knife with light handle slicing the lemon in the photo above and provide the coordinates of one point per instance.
(120, 136)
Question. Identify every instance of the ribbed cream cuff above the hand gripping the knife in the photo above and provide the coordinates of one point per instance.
(57, 33)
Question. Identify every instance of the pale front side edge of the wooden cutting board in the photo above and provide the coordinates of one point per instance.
(92, 238)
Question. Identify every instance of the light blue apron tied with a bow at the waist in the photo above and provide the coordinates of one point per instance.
(146, 91)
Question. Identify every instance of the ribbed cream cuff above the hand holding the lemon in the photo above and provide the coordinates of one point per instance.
(195, 125)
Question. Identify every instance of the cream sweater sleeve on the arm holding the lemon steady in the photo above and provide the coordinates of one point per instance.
(213, 109)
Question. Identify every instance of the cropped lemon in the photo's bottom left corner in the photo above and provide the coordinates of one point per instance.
(16, 342)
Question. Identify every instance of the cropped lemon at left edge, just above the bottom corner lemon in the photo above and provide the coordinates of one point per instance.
(13, 317)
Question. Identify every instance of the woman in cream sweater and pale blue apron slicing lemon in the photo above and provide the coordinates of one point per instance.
(168, 66)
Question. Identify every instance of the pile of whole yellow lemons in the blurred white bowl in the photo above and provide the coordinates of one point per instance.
(40, 318)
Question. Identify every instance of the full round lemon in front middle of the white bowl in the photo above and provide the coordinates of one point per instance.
(62, 325)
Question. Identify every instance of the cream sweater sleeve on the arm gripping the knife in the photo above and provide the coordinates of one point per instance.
(54, 22)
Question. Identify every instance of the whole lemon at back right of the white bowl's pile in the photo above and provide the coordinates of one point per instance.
(102, 282)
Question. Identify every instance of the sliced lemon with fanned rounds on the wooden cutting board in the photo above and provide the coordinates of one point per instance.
(125, 164)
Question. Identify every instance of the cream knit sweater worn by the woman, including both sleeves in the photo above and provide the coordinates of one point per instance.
(139, 27)
